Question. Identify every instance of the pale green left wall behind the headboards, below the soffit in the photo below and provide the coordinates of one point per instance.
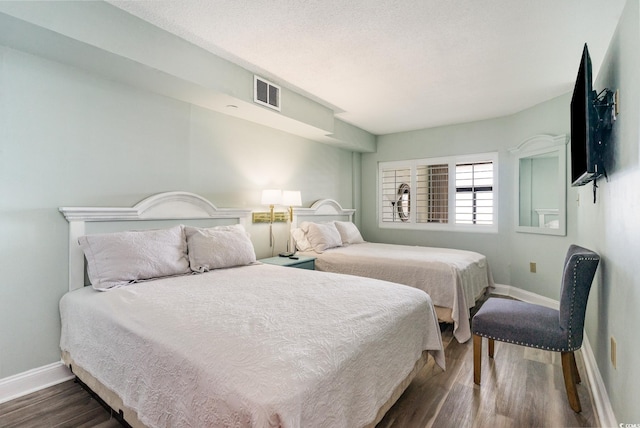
(69, 138)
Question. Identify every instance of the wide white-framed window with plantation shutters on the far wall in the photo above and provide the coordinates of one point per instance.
(453, 193)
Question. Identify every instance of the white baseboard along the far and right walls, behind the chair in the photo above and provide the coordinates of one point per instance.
(601, 402)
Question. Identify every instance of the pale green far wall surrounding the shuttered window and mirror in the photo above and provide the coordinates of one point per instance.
(509, 253)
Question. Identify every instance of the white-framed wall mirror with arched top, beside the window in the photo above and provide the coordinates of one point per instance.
(541, 192)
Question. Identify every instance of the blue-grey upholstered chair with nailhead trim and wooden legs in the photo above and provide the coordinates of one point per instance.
(537, 326)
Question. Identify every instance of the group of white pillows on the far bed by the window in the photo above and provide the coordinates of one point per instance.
(319, 237)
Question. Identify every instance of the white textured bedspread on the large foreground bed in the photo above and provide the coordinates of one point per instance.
(259, 346)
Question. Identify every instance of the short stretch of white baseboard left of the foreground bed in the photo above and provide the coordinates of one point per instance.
(16, 386)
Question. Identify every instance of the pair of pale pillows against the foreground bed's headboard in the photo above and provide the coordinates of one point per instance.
(121, 258)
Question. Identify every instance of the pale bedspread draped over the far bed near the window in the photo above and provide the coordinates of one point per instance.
(453, 278)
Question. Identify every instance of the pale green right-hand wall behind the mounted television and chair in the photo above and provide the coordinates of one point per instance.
(611, 226)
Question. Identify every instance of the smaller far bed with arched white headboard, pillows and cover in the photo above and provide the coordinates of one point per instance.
(455, 279)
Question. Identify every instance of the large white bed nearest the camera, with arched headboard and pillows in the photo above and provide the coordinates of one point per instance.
(230, 345)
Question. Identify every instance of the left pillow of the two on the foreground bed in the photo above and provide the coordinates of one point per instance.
(121, 258)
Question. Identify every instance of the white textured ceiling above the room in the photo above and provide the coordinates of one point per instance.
(396, 65)
